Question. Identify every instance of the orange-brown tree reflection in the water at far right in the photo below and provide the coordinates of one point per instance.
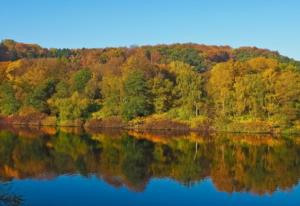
(256, 168)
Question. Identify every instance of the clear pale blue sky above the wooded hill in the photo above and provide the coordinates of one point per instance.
(272, 24)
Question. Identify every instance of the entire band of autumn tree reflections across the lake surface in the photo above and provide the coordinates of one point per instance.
(234, 163)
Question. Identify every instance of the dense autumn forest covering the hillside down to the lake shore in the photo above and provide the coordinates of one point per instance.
(193, 86)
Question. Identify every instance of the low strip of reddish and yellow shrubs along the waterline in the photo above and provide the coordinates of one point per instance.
(153, 123)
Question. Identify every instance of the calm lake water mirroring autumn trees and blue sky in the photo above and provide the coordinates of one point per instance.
(68, 167)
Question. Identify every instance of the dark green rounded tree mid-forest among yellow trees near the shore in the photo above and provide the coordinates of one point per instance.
(136, 101)
